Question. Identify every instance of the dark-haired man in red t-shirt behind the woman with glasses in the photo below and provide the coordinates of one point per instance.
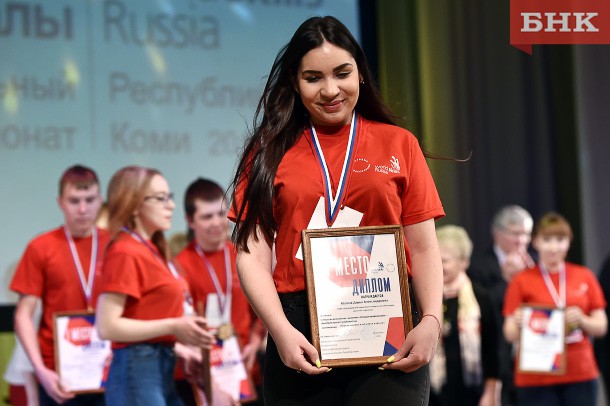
(208, 264)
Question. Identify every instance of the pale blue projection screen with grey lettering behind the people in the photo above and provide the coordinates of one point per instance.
(167, 84)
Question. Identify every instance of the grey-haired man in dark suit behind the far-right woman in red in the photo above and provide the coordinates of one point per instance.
(494, 268)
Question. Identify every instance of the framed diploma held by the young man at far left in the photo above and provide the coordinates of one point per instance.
(82, 359)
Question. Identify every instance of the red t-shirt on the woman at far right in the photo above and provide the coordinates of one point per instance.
(582, 290)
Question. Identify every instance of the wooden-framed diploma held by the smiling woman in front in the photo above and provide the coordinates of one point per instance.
(358, 292)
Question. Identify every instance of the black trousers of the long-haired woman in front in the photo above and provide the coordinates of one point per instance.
(342, 386)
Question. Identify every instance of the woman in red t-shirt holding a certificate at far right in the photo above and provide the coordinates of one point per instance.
(555, 283)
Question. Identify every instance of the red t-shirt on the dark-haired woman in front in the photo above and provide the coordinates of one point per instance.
(389, 181)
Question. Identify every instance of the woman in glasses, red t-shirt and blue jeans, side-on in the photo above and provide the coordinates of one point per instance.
(143, 307)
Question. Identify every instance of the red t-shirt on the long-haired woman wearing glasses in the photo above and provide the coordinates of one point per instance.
(137, 270)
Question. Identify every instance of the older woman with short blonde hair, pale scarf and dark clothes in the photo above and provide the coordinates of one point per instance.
(465, 366)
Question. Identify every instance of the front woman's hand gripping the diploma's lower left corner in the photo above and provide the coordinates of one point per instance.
(297, 352)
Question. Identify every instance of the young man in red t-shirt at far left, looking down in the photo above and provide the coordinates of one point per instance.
(57, 269)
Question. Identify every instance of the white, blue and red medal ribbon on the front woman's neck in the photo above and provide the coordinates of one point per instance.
(333, 203)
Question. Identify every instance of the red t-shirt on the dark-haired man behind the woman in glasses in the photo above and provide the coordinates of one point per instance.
(201, 284)
